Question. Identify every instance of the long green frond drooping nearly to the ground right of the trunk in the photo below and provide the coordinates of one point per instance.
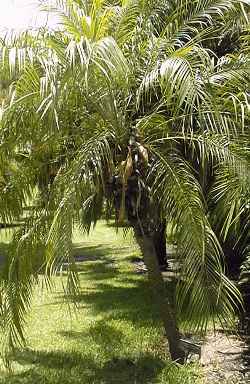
(204, 292)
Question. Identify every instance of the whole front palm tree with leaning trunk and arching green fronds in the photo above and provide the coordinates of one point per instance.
(127, 107)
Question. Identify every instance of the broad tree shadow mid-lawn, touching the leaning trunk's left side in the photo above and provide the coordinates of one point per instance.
(114, 295)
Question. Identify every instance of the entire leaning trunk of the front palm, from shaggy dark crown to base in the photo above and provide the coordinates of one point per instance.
(143, 215)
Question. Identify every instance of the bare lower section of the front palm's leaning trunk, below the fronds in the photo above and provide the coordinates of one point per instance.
(167, 312)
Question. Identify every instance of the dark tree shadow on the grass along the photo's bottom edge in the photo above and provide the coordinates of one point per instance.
(73, 368)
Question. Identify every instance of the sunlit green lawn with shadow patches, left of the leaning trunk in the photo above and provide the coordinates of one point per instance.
(114, 337)
